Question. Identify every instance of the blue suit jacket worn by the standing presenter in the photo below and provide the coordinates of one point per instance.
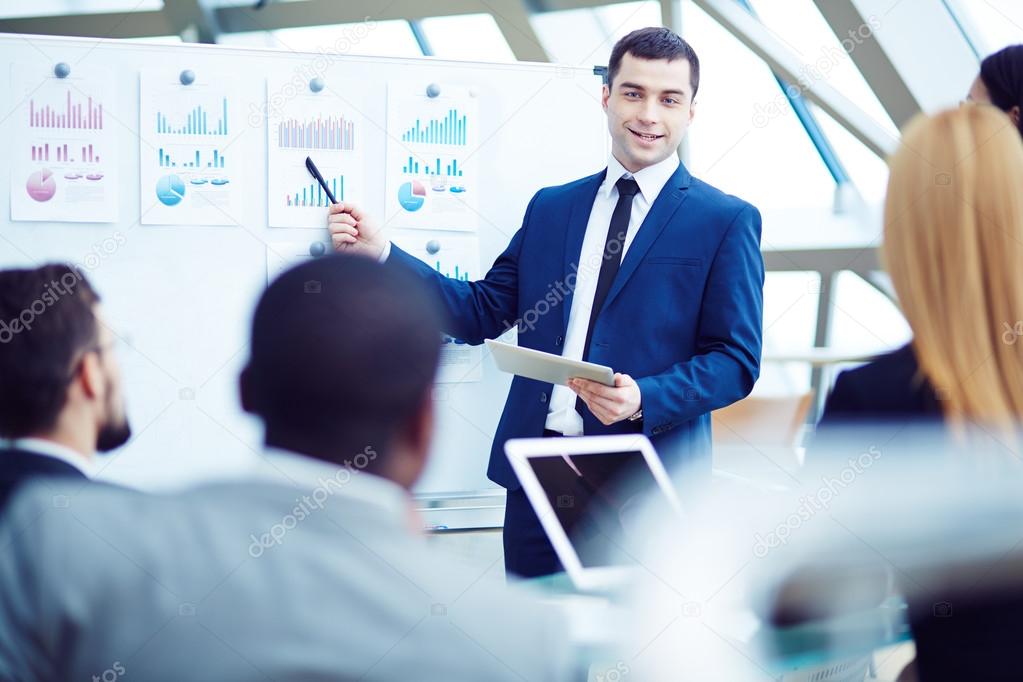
(685, 315)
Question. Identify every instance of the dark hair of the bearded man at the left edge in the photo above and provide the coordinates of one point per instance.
(48, 322)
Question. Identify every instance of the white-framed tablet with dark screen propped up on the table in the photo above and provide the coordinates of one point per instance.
(595, 496)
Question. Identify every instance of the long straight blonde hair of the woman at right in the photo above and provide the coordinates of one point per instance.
(954, 248)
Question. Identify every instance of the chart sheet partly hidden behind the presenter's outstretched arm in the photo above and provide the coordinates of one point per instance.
(456, 256)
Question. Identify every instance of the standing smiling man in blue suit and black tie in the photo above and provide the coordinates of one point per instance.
(641, 267)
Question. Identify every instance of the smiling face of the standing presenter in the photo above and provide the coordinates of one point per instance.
(649, 108)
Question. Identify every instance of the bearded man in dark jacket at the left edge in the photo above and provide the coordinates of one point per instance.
(61, 396)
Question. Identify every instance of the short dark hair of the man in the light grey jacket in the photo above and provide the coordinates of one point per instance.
(344, 352)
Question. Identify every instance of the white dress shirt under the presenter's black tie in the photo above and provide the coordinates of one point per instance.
(562, 417)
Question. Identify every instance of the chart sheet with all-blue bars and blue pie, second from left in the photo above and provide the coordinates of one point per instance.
(193, 151)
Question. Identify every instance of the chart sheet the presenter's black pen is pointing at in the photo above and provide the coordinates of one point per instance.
(325, 127)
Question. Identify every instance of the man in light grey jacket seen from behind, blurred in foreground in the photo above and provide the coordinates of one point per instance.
(312, 570)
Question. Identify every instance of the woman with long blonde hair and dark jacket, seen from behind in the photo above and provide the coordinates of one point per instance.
(953, 247)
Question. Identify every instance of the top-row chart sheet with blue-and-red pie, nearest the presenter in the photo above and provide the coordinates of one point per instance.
(432, 171)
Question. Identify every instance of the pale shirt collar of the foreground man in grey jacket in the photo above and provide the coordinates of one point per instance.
(320, 478)
